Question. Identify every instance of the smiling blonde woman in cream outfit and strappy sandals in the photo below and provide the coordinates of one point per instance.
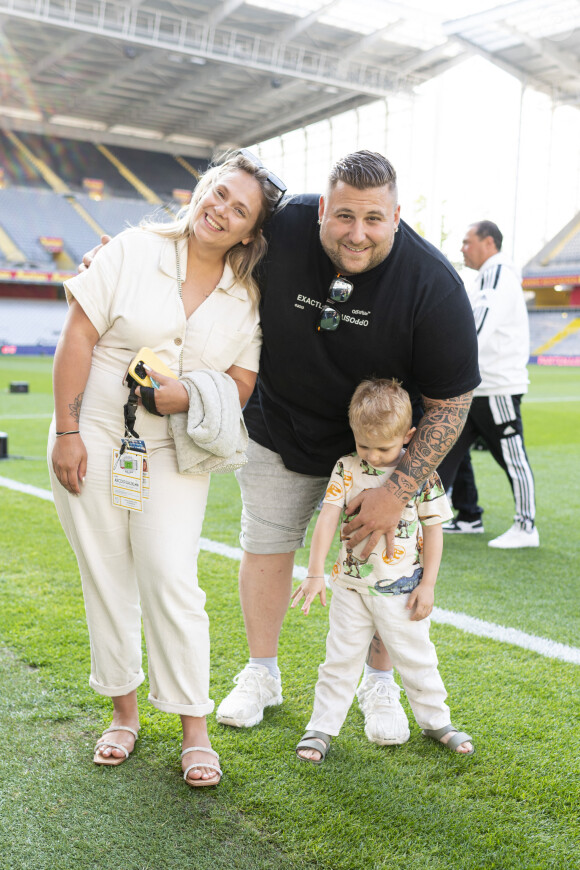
(186, 290)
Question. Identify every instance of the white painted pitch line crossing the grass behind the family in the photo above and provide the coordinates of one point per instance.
(470, 624)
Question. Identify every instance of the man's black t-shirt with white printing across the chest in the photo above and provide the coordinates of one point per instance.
(408, 318)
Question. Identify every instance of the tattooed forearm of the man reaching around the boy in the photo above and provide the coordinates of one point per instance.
(437, 432)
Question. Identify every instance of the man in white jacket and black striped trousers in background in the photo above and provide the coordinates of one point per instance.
(501, 320)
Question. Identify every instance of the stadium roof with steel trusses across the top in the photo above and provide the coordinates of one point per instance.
(193, 77)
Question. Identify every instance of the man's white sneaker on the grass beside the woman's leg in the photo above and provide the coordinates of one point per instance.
(255, 690)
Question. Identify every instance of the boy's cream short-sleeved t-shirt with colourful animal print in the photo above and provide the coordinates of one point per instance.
(379, 574)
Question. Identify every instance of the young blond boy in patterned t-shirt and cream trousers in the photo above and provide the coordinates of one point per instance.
(392, 596)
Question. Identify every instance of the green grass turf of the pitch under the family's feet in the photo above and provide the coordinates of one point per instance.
(515, 804)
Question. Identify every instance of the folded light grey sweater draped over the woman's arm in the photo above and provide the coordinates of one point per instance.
(211, 435)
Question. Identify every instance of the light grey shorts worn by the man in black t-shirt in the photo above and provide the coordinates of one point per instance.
(278, 504)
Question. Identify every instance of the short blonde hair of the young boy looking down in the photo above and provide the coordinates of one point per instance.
(380, 406)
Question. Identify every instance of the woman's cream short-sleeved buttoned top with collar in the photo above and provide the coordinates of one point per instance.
(131, 297)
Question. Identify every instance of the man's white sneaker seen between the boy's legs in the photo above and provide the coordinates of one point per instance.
(385, 720)
